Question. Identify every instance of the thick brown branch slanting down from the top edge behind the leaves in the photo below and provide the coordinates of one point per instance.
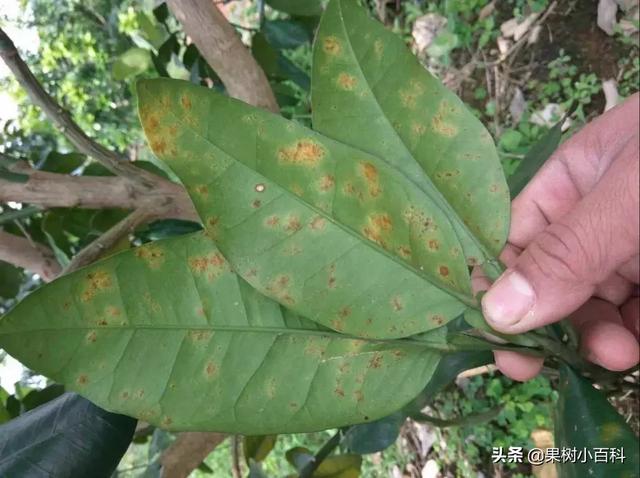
(220, 45)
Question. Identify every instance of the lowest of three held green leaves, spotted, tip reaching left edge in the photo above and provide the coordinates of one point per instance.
(185, 344)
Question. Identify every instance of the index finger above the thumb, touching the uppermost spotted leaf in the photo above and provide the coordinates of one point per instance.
(571, 172)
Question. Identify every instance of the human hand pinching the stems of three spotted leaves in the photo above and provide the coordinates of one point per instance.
(573, 248)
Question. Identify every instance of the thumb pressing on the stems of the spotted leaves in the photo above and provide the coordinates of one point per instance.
(559, 270)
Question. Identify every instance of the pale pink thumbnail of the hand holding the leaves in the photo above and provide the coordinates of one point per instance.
(509, 300)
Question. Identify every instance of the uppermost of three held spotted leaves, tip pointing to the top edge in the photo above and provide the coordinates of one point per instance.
(369, 91)
